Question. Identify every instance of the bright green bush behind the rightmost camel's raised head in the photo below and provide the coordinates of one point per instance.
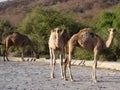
(107, 20)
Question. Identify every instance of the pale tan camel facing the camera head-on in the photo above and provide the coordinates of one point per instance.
(57, 42)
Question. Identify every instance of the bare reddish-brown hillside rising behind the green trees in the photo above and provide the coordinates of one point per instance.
(16, 10)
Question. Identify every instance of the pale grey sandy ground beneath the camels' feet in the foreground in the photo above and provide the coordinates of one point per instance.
(17, 75)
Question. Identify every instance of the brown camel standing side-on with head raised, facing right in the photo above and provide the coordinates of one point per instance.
(90, 41)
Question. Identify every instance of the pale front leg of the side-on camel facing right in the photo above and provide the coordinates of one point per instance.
(95, 65)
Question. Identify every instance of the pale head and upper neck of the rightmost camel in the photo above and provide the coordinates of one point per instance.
(111, 37)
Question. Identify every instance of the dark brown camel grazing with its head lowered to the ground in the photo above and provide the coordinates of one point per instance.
(18, 40)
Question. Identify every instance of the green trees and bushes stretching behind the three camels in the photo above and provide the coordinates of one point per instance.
(40, 21)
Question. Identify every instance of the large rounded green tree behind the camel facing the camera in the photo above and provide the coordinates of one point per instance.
(40, 21)
